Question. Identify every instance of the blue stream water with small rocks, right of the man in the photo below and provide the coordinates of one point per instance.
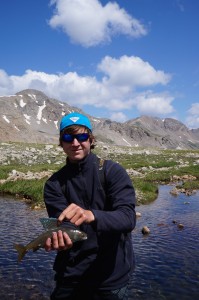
(167, 264)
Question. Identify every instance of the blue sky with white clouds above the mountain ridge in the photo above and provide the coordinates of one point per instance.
(117, 60)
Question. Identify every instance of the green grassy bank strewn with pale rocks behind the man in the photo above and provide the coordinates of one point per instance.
(147, 168)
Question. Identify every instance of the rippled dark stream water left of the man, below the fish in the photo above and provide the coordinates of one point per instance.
(32, 278)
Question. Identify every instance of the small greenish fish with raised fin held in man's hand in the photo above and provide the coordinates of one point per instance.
(50, 225)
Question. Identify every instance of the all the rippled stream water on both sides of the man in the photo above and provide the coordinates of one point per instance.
(167, 260)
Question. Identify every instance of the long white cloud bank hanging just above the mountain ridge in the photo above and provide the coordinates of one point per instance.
(124, 85)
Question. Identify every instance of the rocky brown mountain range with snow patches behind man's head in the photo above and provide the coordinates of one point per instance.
(32, 117)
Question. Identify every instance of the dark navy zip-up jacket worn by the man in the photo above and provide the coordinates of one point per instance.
(105, 260)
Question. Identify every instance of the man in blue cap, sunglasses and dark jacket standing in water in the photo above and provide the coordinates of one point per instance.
(101, 266)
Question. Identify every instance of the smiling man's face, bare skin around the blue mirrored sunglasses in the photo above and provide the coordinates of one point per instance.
(77, 150)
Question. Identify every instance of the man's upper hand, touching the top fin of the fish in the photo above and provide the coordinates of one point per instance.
(76, 215)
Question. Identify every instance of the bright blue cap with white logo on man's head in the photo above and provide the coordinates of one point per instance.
(75, 118)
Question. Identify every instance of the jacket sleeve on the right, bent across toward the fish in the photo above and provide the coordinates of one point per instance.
(120, 192)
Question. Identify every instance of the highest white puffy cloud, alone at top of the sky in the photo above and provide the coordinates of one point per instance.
(75, 17)
